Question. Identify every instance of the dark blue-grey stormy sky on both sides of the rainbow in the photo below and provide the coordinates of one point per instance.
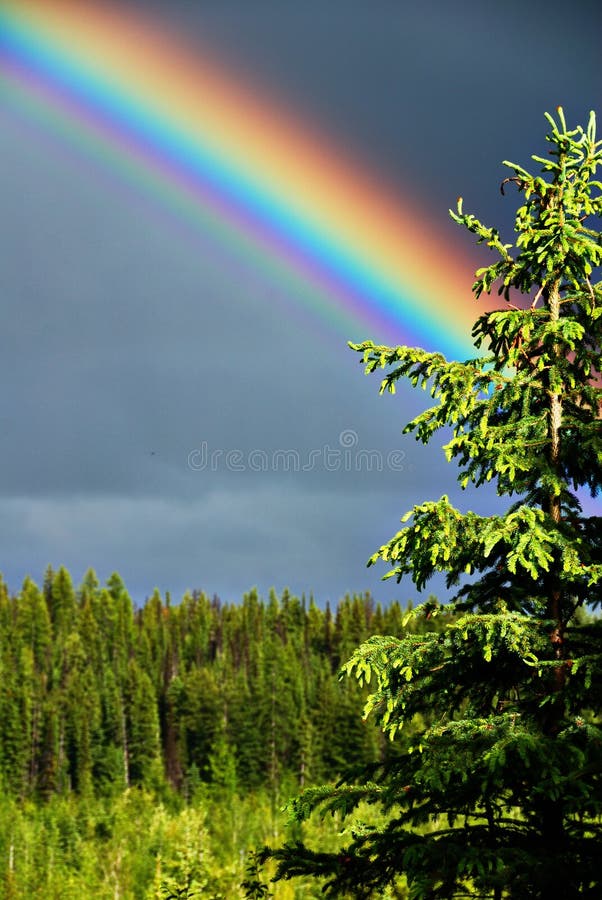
(114, 373)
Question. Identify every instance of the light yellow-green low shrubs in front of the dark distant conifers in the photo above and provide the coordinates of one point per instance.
(135, 847)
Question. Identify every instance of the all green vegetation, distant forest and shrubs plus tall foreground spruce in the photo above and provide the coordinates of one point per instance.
(209, 749)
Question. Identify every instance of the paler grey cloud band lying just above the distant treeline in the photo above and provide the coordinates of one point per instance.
(223, 541)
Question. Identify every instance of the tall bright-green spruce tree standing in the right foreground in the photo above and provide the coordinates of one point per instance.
(498, 793)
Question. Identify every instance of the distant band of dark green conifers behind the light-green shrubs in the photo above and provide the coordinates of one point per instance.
(97, 696)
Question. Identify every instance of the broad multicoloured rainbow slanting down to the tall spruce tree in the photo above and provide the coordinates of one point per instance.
(270, 191)
